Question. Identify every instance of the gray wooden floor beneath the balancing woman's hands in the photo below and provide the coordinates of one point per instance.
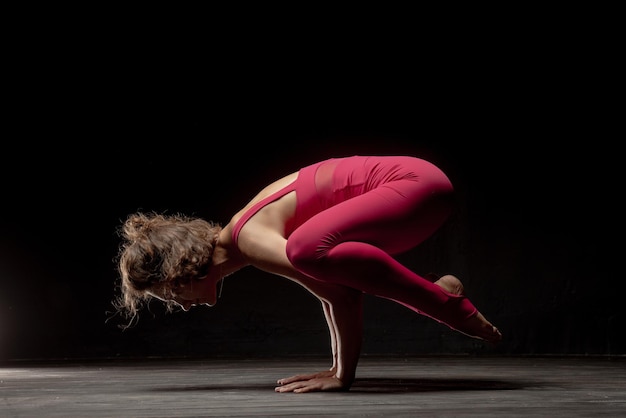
(422, 386)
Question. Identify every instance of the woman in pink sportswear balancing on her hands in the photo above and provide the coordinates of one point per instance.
(333, 227)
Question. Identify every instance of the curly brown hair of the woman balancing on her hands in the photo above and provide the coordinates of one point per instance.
(159, 252)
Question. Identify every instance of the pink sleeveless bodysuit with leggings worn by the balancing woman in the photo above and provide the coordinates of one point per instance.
(354, 213)
